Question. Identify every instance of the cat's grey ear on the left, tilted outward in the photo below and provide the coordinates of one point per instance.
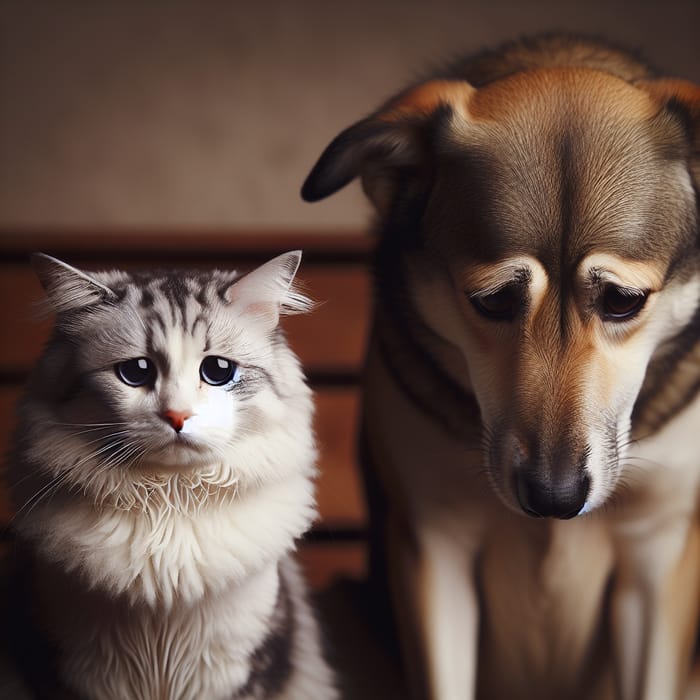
(67, 287)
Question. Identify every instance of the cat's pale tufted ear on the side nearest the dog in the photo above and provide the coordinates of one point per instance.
(268, 291)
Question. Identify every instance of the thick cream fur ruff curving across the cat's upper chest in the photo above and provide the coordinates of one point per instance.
(164, 557)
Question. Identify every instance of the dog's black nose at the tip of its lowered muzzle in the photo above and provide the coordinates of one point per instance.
(551, 498)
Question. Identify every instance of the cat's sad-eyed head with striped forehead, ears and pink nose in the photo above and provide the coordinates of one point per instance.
(170, 372)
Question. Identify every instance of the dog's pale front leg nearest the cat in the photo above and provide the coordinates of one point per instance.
(448, 616)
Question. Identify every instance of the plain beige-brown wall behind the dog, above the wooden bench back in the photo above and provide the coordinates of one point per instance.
(163, 114)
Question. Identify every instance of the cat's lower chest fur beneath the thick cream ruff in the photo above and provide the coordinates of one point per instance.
(207, 650)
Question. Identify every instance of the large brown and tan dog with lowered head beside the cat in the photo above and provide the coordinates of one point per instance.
(531, 420)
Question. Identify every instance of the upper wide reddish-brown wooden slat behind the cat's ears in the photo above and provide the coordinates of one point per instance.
(331, 339)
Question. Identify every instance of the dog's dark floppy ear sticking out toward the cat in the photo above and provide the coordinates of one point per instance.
(394, 140)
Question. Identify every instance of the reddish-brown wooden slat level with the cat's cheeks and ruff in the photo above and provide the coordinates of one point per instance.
(338, 488)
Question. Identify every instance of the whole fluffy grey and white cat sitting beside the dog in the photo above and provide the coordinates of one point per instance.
(162, 469)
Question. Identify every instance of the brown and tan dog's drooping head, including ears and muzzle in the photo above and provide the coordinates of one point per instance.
(547, 226)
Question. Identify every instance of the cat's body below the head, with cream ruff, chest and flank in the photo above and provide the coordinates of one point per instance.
(179, 605)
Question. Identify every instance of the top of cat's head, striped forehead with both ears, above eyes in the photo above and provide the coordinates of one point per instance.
(113, 316)
